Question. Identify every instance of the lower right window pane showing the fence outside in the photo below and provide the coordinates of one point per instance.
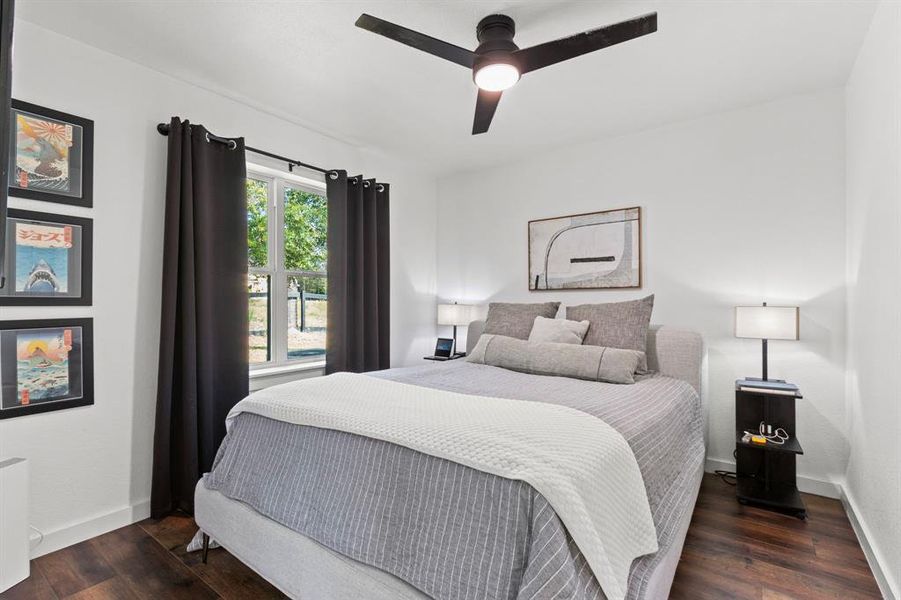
(306, 317)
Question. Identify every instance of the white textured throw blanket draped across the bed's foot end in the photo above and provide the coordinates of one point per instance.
(581, 465)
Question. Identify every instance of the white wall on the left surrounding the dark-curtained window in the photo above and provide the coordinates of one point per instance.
(91, 466)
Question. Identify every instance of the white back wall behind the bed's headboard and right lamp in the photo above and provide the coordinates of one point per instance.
(741, 207)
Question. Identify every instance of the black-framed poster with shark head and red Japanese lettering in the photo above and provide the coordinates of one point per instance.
(48, 260)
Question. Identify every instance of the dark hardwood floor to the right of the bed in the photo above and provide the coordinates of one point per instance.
(735, 551)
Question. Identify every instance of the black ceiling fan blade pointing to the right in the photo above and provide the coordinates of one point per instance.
(551, 53)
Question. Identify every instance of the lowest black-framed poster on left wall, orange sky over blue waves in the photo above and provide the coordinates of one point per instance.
(45, 365)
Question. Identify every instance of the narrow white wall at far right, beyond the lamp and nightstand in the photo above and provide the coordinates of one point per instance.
(873, 98)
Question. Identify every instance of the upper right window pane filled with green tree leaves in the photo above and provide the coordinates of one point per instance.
(306, 222)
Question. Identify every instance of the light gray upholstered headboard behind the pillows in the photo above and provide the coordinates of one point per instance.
(674, 352)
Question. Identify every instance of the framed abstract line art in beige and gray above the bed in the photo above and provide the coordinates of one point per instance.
(600, 250)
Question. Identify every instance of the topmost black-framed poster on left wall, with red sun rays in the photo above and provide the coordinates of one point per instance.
(51, 155)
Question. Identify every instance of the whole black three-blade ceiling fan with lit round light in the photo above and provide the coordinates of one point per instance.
(498, 63)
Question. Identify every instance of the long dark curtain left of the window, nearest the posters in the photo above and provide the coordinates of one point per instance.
(203, 335)
